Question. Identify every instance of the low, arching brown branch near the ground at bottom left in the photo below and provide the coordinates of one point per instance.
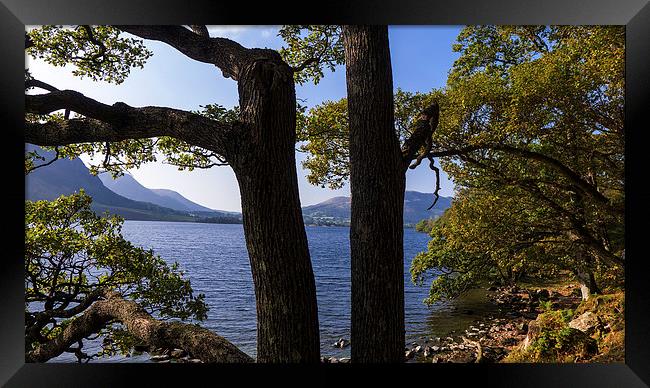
(199, 342)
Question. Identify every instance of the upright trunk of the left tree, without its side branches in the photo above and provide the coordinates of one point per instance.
(285, 290)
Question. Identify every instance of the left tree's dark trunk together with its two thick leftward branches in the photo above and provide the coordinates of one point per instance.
(260, 149)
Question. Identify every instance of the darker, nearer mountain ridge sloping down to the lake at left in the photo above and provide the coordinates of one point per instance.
(65, 176)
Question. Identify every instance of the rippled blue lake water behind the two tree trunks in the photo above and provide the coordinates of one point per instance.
(215, 259)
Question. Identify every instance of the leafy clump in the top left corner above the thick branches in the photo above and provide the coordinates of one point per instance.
(97, 52)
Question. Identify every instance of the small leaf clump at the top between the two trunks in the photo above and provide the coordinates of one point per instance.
(316, 47)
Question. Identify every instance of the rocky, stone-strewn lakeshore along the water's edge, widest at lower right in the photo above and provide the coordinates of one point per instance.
(494, 337)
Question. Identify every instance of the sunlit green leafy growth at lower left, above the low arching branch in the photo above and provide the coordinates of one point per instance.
(72, 256)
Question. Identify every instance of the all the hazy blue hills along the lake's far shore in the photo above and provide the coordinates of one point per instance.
(129, 199)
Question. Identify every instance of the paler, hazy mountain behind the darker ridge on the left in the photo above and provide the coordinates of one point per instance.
(128, 187)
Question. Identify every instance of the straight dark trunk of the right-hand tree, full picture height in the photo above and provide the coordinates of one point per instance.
(377, 183)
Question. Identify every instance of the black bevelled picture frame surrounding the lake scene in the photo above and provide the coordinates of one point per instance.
(634, 14)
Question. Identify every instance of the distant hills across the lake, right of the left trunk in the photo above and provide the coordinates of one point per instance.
(336, 211)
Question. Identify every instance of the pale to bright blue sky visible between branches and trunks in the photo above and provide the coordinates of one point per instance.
(421, 57)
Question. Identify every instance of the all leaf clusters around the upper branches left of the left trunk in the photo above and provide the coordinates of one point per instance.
(104, 53)
